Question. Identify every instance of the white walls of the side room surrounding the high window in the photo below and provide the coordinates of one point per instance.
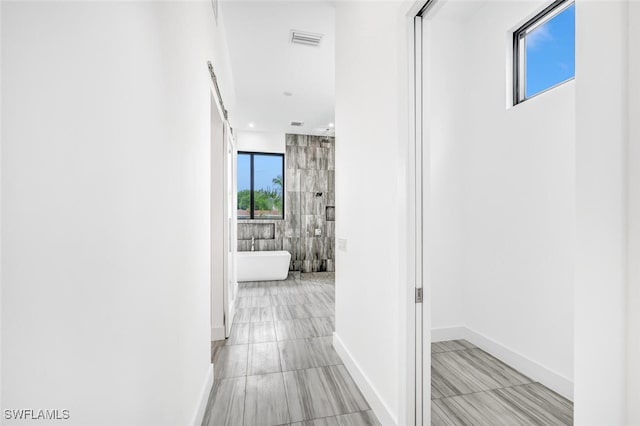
(502, 187)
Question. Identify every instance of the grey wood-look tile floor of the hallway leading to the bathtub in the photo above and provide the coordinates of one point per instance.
(278, 366)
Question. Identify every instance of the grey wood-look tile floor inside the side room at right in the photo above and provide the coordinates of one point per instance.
(471, 387)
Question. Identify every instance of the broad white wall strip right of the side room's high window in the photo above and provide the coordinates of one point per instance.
(600, 289)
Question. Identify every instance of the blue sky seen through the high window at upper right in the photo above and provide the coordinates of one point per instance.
(550, 53)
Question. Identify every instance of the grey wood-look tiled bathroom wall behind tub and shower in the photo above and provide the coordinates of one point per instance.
(309, 205)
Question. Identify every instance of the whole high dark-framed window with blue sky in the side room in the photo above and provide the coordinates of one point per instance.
(544, 51)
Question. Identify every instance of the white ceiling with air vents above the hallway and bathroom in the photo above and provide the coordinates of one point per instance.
(265, 64)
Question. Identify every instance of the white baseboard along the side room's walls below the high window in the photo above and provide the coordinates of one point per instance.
(520, 362)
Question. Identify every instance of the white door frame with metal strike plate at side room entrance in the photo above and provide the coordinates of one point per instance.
(418, 318)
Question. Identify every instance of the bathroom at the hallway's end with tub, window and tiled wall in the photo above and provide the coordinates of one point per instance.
(294, 208)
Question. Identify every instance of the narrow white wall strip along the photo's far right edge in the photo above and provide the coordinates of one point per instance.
(633, 217)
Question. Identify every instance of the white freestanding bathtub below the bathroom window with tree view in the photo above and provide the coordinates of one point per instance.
(263, 265)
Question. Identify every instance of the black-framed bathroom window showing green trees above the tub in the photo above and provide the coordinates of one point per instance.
(260, 185)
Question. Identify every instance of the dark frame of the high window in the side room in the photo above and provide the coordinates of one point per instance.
(519, 54)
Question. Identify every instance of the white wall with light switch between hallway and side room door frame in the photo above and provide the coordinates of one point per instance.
(371, 104)
